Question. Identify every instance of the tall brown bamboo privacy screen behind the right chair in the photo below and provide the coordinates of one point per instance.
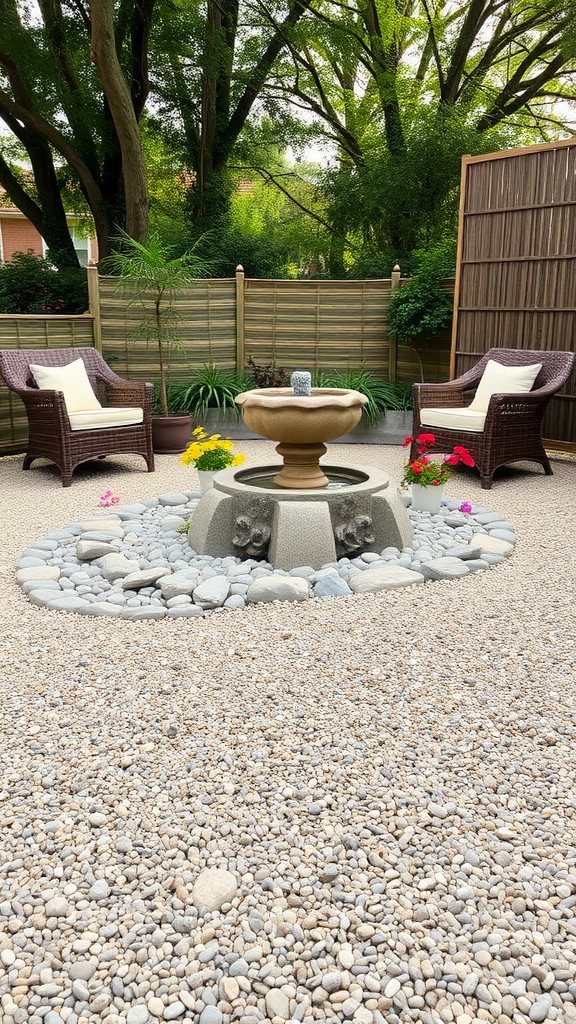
(516, 279)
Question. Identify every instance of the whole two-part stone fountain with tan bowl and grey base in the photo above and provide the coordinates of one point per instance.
(300, 513)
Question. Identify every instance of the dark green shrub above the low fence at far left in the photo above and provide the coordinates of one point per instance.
(30, 285)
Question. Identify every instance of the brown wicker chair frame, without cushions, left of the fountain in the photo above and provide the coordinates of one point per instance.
(51, 436)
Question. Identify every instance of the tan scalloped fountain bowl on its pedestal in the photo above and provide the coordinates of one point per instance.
(302, 424)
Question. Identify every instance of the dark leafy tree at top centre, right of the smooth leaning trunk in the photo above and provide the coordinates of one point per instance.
(211, 67)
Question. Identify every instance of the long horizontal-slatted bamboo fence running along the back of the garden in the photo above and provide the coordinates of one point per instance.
(317, 325)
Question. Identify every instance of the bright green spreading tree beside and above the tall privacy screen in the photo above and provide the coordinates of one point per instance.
(405, 89)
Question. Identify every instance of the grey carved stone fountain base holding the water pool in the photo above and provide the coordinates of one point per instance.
(244, 519)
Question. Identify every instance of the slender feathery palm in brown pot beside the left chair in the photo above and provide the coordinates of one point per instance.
(153, 276)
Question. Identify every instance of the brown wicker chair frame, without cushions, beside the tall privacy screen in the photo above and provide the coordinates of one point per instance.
(513, 428)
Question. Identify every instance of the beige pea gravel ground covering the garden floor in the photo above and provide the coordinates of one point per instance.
(389, 780)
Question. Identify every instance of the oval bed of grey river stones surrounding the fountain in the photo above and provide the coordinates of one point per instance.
(137, 564)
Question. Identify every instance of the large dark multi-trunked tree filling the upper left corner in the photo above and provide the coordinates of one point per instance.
(73, 88)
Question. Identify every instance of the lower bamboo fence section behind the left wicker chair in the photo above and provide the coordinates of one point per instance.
(20, 331)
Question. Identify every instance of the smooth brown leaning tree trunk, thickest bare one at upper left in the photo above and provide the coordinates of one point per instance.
(120, 103)
